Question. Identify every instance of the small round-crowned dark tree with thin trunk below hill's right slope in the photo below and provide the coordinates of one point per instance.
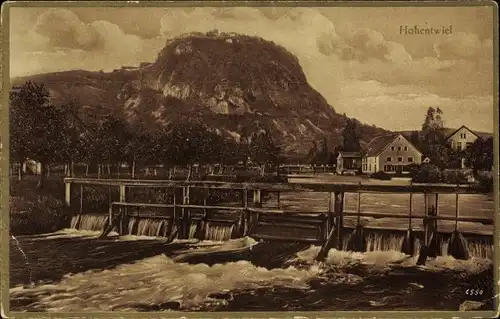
(263, 151)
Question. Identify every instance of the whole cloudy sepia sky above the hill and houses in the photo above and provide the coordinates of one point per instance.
(363, 60)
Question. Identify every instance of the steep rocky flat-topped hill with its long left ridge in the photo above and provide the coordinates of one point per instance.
(238, 84)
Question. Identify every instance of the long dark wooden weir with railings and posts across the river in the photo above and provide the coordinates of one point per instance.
(251, 220)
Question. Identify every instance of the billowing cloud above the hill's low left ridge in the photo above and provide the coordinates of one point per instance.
(59, 35)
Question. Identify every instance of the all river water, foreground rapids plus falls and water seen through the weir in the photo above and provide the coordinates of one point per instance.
(74, 270)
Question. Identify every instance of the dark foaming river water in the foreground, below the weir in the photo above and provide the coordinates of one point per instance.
(74, 271)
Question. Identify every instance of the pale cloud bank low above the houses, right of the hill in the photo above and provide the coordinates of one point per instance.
(405, 106)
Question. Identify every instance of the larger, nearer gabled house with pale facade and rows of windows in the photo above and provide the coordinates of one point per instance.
(391, 153)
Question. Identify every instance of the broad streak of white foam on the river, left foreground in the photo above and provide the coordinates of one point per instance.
(158, 280)
